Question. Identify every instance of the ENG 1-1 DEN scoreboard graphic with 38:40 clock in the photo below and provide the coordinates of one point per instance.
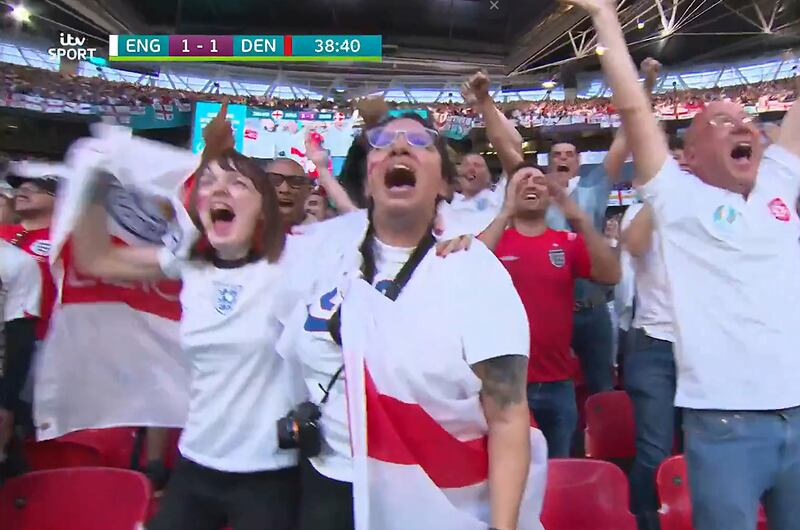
(245, 48)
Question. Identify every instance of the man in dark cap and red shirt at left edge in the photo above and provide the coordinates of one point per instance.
(34, 200)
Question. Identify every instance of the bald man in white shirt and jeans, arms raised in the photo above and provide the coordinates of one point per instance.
(729, 236)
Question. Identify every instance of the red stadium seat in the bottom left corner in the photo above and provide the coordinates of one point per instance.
(75, 499)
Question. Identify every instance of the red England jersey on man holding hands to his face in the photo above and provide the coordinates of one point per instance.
(543, 269)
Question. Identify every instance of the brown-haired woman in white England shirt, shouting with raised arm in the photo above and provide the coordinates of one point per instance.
(231, 471)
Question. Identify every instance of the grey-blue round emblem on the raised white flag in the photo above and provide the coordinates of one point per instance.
(136, 213)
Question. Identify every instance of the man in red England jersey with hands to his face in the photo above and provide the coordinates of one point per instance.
(543, 264)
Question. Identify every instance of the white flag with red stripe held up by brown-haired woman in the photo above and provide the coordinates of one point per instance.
(112, 356)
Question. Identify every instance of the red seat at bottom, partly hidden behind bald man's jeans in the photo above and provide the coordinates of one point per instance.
(673, 490)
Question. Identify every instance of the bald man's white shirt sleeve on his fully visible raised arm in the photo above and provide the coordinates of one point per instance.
(671, 192)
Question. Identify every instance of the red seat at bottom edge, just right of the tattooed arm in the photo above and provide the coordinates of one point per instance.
(586, 495)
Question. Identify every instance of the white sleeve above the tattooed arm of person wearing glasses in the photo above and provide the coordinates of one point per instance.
(488, 309)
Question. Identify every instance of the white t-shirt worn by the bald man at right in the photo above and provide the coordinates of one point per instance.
(732, 267)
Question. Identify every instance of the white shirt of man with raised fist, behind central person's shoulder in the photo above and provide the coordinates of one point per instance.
(471, 215)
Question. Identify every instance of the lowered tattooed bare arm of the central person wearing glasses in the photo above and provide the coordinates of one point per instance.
(506, 410)
